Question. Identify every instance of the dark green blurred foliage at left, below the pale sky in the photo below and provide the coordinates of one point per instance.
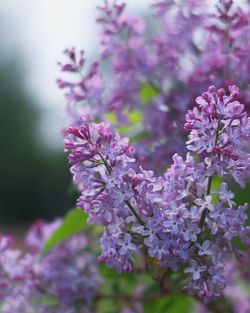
(34, 182)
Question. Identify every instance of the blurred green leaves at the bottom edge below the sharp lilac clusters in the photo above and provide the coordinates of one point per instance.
(117, 284)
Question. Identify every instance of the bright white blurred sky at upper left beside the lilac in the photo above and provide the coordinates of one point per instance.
(42, 29)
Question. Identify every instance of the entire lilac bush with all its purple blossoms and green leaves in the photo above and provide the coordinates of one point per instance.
(158, 141)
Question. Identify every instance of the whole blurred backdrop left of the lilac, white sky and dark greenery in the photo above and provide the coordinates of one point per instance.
(35, 181)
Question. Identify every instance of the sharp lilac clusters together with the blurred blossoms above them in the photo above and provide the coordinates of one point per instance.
(177, 218)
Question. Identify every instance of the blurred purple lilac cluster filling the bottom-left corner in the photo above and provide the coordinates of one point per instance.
(64, 280)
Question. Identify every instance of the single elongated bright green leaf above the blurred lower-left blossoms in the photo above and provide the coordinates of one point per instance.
(75, 221)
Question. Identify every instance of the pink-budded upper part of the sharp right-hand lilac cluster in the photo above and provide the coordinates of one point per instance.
(221, 127)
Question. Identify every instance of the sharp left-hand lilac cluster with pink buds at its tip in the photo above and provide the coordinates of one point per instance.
(101, 169)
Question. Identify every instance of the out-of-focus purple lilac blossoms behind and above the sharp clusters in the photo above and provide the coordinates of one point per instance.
(189, 48)
